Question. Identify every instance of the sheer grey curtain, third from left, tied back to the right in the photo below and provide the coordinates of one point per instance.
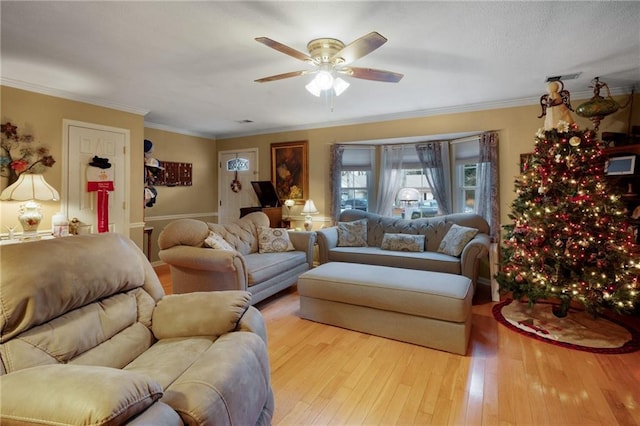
(434, 160)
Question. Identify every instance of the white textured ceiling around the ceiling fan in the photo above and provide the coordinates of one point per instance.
(191, 66)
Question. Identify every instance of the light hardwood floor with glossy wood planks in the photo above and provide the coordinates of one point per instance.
(324, 375)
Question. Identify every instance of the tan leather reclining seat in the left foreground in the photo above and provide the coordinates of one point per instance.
(87, 336)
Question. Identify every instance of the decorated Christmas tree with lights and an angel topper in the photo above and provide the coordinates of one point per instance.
(569, 239)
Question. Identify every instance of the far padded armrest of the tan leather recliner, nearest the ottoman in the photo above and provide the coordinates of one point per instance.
(199, 314)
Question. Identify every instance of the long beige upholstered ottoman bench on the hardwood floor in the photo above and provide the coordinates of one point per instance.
(431, 309)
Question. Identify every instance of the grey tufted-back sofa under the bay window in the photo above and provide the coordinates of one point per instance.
(425, 255)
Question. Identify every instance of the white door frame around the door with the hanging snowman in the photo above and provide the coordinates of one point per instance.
(64, 199)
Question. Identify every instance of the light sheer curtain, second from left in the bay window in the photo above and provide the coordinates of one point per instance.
(390, 178)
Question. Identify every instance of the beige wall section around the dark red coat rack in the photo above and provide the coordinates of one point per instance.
(197, 201)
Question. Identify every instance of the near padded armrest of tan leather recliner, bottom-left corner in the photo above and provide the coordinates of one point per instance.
(76, 394)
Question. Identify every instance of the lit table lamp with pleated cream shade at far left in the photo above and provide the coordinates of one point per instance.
(30, 187)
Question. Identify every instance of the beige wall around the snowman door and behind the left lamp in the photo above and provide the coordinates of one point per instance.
(41, 116)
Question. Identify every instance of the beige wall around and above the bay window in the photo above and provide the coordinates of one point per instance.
(517, 127)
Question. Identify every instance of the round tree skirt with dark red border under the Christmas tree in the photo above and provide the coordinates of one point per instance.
(578, 330)
